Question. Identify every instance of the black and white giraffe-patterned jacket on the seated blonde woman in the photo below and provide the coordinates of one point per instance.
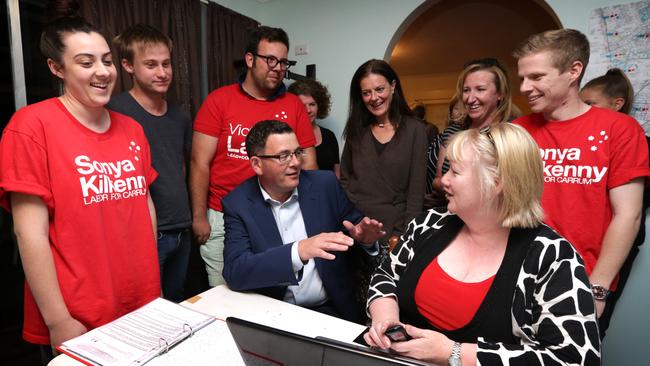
(551, 309)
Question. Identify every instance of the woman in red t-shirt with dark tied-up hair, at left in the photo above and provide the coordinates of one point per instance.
(75, 177)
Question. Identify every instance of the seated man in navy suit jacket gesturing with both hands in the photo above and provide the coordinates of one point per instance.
(284, 229)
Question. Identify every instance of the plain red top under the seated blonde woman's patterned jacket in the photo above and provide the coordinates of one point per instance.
(446, 302)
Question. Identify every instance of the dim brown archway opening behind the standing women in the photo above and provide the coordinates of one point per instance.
(430, 47)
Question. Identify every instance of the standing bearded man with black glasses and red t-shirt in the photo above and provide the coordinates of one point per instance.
(219, 160)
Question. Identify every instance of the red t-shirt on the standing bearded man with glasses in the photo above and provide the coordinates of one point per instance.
(228, 114)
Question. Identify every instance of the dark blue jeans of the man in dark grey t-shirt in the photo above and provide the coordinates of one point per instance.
(173, 257)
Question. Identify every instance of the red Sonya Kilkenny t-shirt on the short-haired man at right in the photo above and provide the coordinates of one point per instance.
(584, 158)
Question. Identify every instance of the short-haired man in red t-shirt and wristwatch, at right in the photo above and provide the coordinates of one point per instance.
(595, 160)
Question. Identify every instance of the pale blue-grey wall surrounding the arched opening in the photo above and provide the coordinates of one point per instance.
(342, 34)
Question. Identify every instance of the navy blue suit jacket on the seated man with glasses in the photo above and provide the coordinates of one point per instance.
(255, 257)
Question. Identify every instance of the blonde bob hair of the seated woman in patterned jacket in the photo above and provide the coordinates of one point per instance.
(507, 154)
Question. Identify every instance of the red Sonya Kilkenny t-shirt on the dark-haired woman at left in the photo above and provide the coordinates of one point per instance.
(95, 187)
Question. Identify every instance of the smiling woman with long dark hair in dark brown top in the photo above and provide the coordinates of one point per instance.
(383, 167)
